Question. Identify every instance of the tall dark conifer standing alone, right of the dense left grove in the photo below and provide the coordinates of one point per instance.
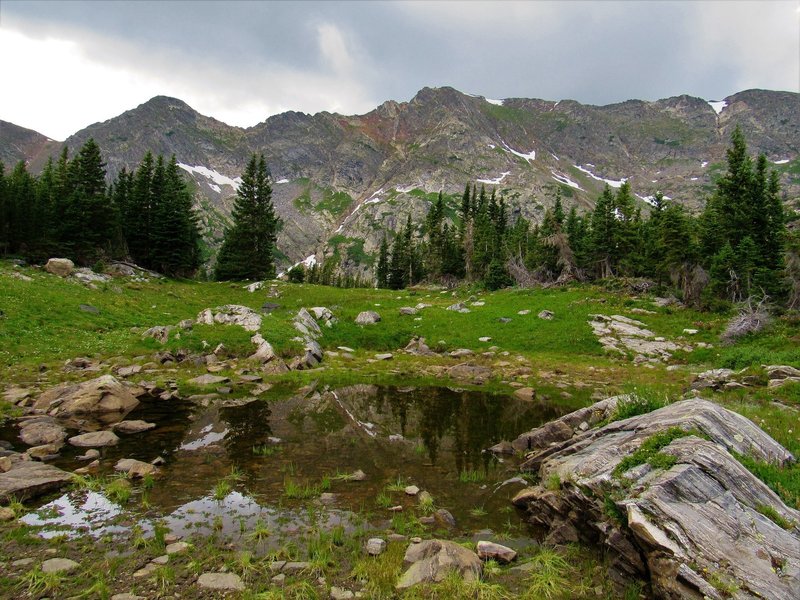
(248, 248)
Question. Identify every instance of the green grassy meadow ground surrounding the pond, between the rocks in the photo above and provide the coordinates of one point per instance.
(42, 324)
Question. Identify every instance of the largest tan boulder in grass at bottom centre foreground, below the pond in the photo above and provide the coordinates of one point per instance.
(432, 561)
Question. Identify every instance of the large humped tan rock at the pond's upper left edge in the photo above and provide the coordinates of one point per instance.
(104, 395)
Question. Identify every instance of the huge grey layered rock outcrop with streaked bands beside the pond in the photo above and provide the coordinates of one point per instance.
(698, 519)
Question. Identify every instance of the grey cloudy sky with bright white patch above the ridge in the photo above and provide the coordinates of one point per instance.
(69, 64)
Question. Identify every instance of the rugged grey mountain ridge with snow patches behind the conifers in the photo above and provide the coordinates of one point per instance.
(339, 181)
